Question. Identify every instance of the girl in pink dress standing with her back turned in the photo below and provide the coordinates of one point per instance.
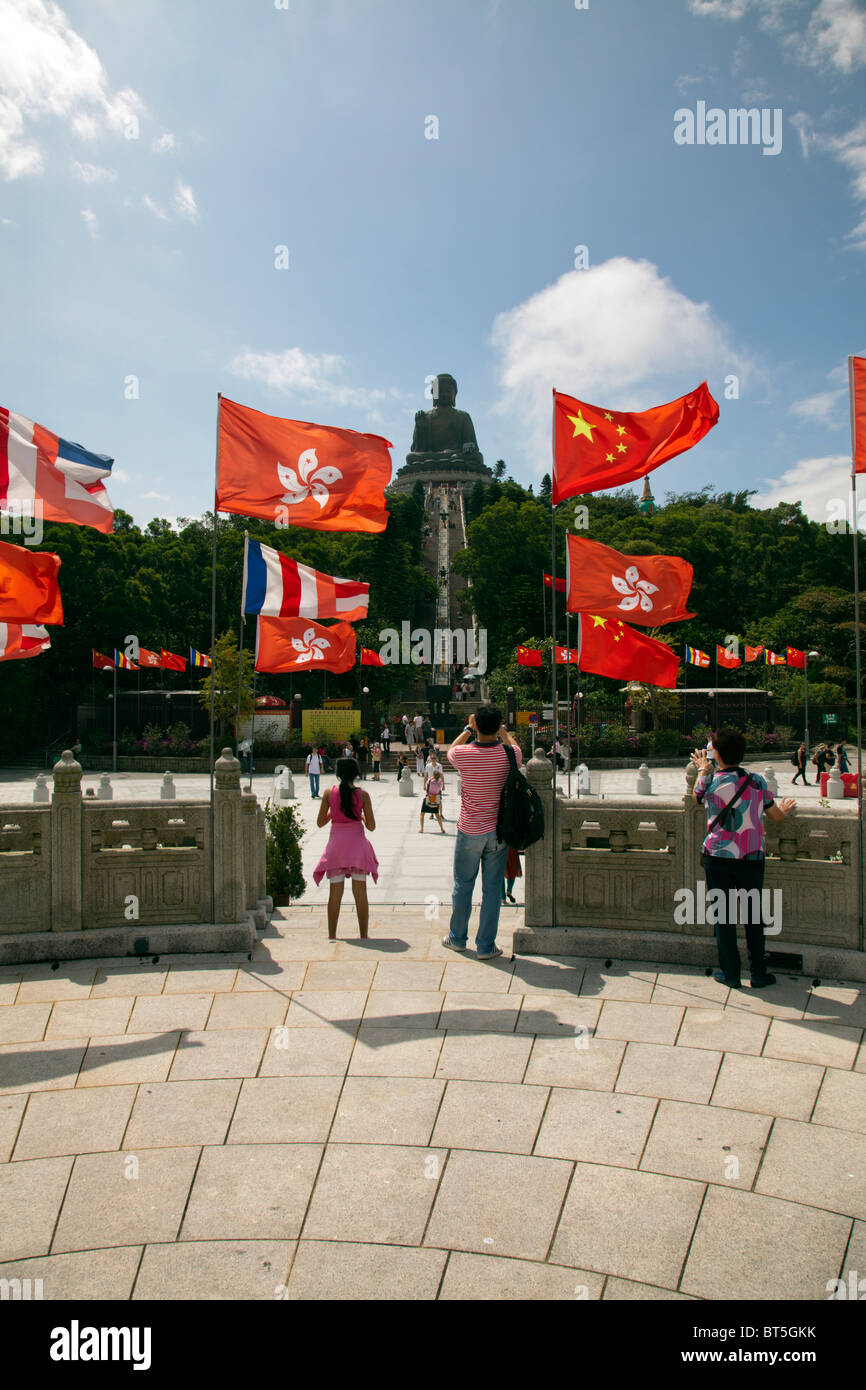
(348, 853)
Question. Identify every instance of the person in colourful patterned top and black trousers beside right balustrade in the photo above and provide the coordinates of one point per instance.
(733, 851)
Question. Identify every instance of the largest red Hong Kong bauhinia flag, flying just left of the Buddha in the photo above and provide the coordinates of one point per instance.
(301, 475)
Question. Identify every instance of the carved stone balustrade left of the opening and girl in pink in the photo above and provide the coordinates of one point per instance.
(92, 878)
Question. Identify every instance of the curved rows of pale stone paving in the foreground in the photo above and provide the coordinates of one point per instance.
(390, 1120)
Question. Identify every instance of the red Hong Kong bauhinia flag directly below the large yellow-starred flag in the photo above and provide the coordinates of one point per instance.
(648, 590)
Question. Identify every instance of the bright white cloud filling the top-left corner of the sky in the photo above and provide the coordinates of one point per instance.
(48, 70)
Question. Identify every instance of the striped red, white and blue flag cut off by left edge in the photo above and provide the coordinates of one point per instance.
(42, 475)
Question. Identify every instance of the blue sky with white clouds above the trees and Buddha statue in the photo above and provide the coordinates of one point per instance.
(313, 206)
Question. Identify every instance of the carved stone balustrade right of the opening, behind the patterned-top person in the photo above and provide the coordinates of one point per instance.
(622, 868)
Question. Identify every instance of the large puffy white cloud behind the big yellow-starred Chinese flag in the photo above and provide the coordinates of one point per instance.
(616, 336)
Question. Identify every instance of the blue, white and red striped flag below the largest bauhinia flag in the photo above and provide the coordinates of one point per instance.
(279, 587)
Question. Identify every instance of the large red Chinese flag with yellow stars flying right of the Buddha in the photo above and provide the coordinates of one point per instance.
(596, 448)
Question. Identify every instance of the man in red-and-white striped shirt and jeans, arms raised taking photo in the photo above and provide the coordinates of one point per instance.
(480, 758)
